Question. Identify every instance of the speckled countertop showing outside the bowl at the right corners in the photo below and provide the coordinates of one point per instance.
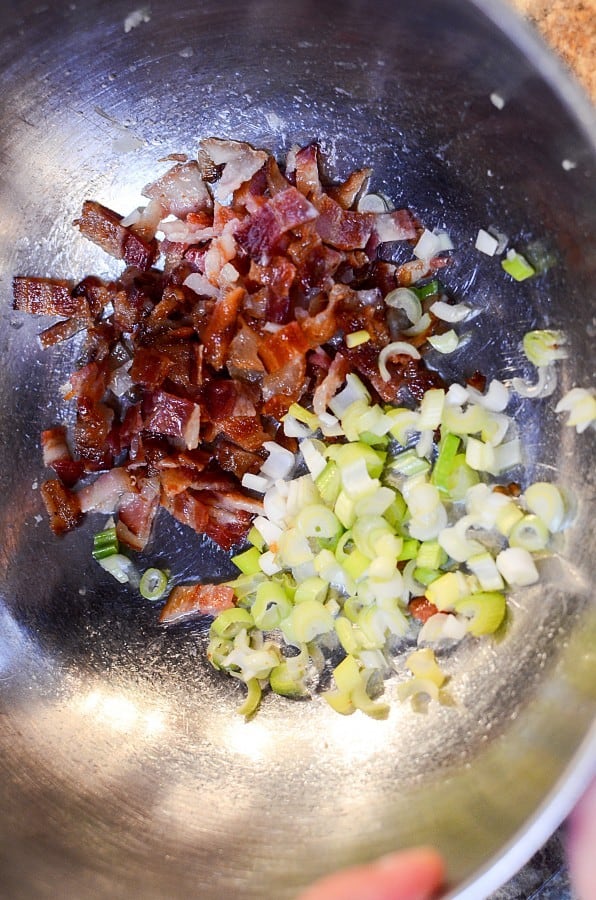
(569, 27)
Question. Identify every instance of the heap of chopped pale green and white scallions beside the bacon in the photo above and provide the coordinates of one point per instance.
(353, 530)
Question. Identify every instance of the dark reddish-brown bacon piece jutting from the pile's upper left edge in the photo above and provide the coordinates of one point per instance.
(103, 226)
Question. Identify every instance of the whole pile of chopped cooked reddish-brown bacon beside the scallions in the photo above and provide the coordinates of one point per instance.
(246, 317)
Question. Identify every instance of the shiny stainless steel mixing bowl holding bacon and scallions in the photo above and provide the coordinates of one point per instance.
(124, 771)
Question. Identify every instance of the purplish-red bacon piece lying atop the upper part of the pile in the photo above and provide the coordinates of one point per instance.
(263, 230)
